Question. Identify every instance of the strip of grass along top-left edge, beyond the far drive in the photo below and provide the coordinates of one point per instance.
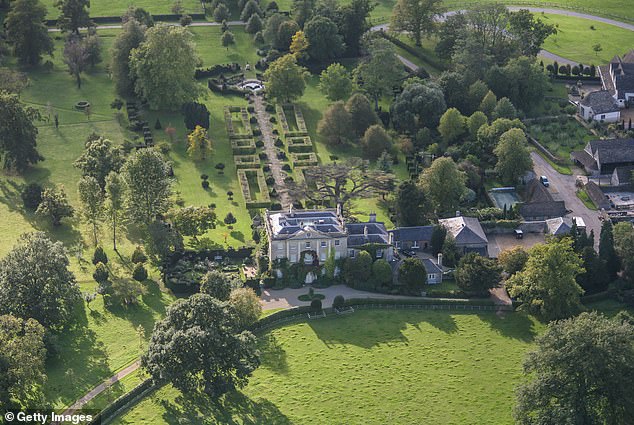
(118, 7)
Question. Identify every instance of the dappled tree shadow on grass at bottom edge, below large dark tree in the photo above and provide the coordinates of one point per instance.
(232, 409)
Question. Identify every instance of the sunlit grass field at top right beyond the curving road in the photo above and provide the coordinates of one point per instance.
(575, 38)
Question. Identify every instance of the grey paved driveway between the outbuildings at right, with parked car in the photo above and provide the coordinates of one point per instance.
(564, 187)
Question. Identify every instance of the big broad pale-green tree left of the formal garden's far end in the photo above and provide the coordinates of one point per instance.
(163, 78)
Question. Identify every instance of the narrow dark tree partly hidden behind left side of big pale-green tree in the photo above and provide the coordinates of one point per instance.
(129, 38)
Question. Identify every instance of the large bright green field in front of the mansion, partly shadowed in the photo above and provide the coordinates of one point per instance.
(372, 367)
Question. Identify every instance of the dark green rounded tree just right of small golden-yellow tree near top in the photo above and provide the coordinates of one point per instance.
(324, 41)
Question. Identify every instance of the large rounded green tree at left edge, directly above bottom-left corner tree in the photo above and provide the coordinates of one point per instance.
(35, 282)
